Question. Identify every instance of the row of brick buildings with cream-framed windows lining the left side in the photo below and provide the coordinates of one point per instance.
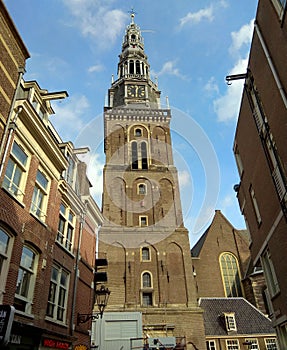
(48, 220)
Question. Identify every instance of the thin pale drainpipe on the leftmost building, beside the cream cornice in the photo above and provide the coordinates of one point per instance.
(8, 129)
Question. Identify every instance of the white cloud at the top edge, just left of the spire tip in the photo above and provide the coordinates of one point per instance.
(96, 19)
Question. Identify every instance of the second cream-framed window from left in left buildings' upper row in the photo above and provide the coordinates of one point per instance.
(40, 194)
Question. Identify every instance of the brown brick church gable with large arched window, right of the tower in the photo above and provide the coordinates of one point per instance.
(222, 264)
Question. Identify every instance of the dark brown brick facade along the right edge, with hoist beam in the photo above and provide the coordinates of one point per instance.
(260, 152)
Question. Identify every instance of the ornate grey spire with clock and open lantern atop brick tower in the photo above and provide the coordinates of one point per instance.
(133, 84)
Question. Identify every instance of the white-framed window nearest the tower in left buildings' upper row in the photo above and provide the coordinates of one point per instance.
(66, 227)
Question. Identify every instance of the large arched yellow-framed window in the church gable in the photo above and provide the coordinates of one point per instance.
(230, 275)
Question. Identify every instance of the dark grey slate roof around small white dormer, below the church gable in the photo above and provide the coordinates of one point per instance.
(248, 319)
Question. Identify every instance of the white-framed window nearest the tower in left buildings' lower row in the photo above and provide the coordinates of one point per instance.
(58, 294)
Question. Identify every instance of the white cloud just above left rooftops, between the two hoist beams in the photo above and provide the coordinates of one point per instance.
(68, 120)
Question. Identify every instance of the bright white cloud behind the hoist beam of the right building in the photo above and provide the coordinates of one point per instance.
(227, 106)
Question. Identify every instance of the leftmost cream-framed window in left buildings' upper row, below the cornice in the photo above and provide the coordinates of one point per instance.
(14, 179)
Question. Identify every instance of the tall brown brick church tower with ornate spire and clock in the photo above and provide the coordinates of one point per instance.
(143, 237)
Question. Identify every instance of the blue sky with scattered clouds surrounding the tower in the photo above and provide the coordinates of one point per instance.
(192, 45)
